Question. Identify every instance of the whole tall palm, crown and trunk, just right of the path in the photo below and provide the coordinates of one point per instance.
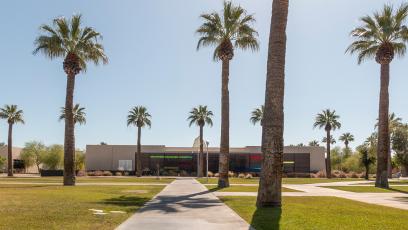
(232, 29)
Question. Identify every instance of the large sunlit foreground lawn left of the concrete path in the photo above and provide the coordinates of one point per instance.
(58, 207)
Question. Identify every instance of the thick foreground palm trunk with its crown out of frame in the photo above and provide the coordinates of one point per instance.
(270, 184)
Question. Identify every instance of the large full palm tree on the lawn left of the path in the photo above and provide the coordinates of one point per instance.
(77, 45)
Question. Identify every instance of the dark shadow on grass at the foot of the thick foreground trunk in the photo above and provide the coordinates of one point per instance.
(267, 218)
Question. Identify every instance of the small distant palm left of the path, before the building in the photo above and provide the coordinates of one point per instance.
(139, 117)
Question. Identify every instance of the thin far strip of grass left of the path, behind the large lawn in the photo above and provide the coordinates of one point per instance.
(90, 180)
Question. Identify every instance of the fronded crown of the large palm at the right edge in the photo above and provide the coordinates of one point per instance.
(381, 36)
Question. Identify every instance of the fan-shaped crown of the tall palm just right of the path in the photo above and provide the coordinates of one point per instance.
(232, 29)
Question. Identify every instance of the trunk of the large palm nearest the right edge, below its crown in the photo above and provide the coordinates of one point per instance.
(381, 180)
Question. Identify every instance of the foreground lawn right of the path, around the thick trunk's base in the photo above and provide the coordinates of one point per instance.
(318, 213)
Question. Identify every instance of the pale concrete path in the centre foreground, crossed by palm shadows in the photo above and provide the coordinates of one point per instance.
(185, 204)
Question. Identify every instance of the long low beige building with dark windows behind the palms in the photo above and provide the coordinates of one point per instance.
(183, 160)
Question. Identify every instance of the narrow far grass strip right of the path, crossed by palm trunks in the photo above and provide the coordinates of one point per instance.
(285, 180)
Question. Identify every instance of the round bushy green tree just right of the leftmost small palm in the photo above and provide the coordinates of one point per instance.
(33, 154)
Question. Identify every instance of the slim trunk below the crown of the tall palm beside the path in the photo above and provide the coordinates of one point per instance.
(224, 146)
